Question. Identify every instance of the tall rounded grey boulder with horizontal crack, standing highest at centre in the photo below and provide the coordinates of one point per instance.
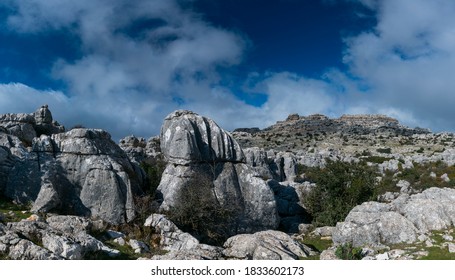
(195, 145)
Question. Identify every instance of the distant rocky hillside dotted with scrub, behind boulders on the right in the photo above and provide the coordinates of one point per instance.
(348, 134)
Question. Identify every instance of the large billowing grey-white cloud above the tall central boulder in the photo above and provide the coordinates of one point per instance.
(128, 79)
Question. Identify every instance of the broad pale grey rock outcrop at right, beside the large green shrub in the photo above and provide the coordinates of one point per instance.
(401, 221)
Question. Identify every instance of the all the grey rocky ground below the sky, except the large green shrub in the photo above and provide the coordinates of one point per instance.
(78, 195)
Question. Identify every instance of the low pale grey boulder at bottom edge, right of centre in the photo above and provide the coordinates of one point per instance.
(265, 245)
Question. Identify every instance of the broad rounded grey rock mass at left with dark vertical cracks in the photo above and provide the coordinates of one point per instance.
(80, 172)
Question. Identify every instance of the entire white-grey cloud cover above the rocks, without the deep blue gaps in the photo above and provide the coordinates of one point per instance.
(137, 61)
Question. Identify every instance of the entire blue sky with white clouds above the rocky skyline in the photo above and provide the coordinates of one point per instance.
(124, 65)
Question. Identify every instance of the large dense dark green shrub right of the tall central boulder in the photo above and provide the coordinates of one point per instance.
(339, 187)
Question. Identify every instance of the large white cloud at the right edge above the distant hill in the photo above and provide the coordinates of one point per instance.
(407, 60)
